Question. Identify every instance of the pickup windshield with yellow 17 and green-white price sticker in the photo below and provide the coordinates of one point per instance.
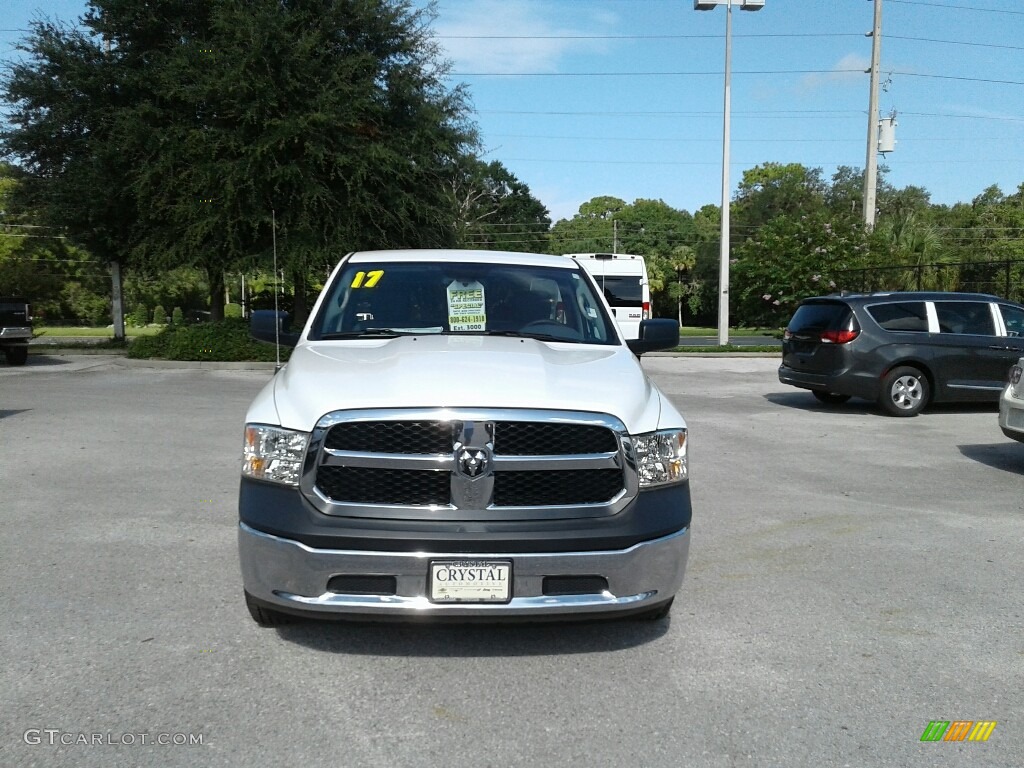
(397, 298)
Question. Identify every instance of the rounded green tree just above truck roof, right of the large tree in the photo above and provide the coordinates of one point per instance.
(495, 210)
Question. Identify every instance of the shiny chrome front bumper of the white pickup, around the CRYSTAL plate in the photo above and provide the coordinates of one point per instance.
(294, 577)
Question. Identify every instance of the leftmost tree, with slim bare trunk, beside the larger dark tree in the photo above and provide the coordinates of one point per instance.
(65, 131)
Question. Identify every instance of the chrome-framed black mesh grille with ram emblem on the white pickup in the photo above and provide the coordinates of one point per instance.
(474, 464)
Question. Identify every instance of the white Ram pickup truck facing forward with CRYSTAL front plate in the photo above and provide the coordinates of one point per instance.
(462, 435)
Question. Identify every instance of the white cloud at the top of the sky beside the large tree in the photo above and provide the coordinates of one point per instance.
(530, 44)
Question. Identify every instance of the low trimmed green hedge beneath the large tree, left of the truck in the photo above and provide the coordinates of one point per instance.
(226, 340)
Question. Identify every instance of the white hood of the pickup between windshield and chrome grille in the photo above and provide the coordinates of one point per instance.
(447, 371)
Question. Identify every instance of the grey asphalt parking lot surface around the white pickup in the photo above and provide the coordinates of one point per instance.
(852, 578)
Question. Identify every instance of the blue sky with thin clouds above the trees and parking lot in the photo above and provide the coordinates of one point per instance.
(582, 99)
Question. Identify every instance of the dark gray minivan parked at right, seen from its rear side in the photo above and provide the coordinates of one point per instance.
(904, 351)
